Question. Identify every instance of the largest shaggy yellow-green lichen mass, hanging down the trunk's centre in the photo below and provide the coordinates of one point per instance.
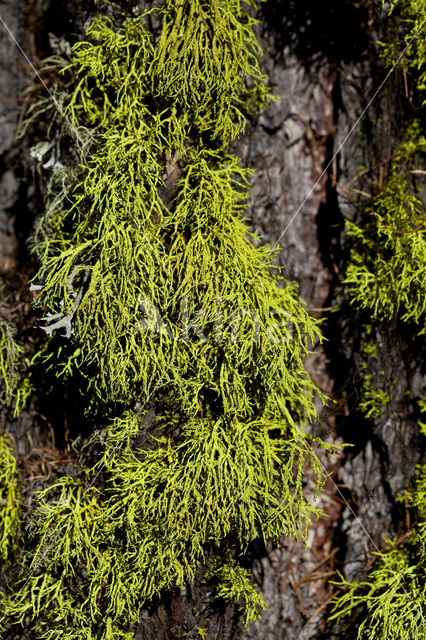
(157, 295)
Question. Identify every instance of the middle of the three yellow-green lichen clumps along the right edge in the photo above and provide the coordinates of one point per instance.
(387, 269)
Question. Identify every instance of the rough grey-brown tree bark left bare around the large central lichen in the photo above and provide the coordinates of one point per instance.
(322, 60)
